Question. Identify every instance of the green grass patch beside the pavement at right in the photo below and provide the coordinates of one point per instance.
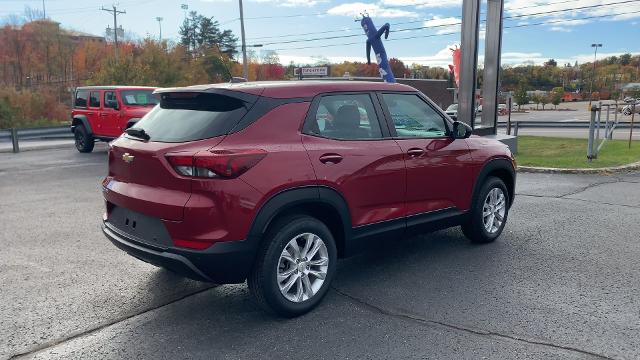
(572, 153)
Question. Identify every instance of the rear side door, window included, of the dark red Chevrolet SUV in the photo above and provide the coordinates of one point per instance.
(352, 153)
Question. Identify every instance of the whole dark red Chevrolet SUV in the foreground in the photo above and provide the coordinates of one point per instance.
(273, 182)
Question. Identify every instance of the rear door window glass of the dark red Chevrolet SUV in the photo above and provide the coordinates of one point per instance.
(345, 117)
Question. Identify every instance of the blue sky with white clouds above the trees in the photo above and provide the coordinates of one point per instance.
(422, 31)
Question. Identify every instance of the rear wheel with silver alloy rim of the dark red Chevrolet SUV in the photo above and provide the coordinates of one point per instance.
(294, 267)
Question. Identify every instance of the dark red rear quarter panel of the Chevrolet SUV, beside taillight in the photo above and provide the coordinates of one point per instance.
(286, 166)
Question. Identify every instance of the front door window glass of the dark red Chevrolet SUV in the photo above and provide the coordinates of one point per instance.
(413, 117)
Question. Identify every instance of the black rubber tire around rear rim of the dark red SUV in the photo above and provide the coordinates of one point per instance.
(262, 280)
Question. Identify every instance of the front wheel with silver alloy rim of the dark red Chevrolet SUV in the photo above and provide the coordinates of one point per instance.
(488, 213)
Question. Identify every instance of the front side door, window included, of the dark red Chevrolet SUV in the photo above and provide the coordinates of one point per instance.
(439, 171)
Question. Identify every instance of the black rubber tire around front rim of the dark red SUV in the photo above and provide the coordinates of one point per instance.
(474, 227)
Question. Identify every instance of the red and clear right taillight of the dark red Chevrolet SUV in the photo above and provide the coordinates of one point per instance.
(216, 163)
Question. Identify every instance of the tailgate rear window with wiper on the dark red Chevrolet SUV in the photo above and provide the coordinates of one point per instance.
(182, 117)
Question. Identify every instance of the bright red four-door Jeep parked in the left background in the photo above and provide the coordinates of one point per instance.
(104, 112)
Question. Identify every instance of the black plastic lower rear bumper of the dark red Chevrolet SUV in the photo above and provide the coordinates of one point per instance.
(223, 263)
